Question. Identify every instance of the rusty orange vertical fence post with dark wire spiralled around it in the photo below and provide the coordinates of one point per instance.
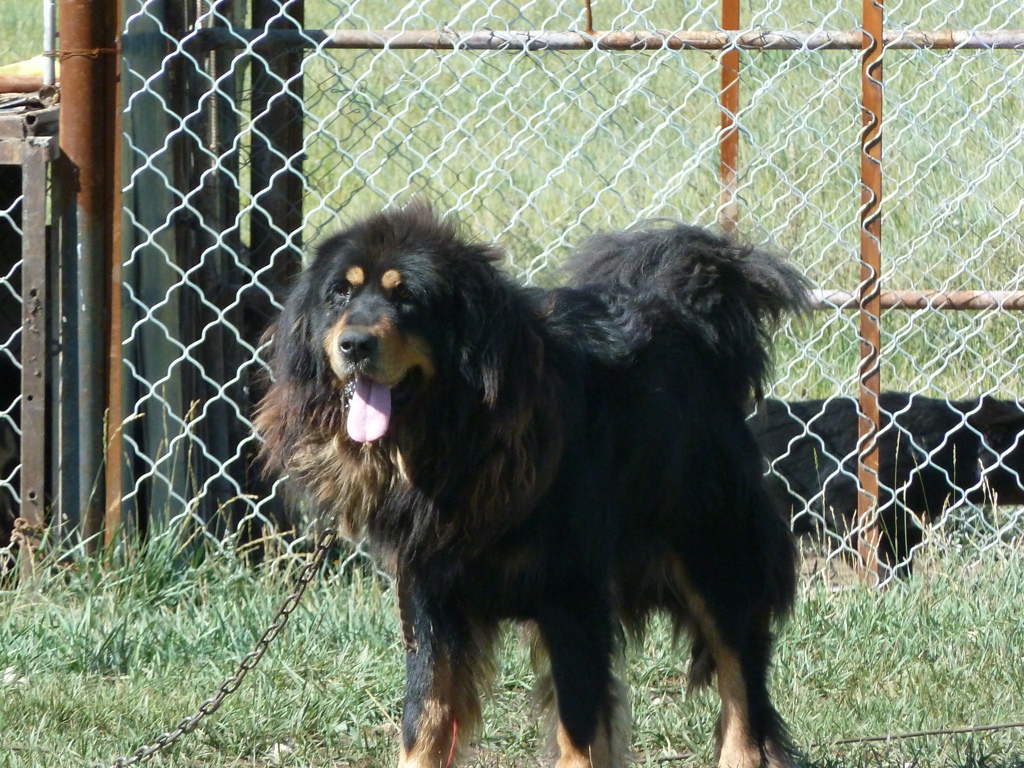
(870, 293)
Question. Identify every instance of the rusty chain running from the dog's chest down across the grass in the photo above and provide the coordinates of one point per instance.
(232, 685)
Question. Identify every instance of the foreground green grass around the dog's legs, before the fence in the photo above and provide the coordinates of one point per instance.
(96, 663)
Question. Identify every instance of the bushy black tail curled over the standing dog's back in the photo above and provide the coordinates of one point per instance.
(663, 279)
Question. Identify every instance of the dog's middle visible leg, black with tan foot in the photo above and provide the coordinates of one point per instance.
(590, 703)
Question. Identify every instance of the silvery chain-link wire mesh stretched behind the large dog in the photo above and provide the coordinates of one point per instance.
(242, 153)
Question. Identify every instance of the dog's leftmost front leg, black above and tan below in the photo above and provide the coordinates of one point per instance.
(443, 660)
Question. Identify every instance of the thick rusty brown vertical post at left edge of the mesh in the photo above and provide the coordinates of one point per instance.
(88, 54)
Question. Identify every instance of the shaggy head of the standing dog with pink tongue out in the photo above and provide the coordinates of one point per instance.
(390, 308)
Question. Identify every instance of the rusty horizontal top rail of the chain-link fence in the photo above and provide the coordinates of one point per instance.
(220, 37)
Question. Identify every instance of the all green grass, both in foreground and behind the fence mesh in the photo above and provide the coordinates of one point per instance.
(538, 150)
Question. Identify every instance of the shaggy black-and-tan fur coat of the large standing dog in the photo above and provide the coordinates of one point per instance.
(575, 458)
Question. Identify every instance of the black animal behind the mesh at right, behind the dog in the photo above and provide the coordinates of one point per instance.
(933, 454)
